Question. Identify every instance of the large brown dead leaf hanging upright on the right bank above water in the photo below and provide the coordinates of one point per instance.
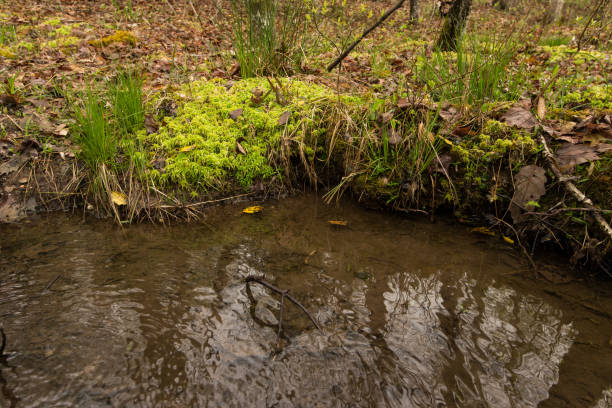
(529, 185)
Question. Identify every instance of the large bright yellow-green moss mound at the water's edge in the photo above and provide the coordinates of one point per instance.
(200, 144)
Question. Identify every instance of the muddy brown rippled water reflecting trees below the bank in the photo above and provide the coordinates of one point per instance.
(413, 314)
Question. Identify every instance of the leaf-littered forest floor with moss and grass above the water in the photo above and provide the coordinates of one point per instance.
(398, 126)
